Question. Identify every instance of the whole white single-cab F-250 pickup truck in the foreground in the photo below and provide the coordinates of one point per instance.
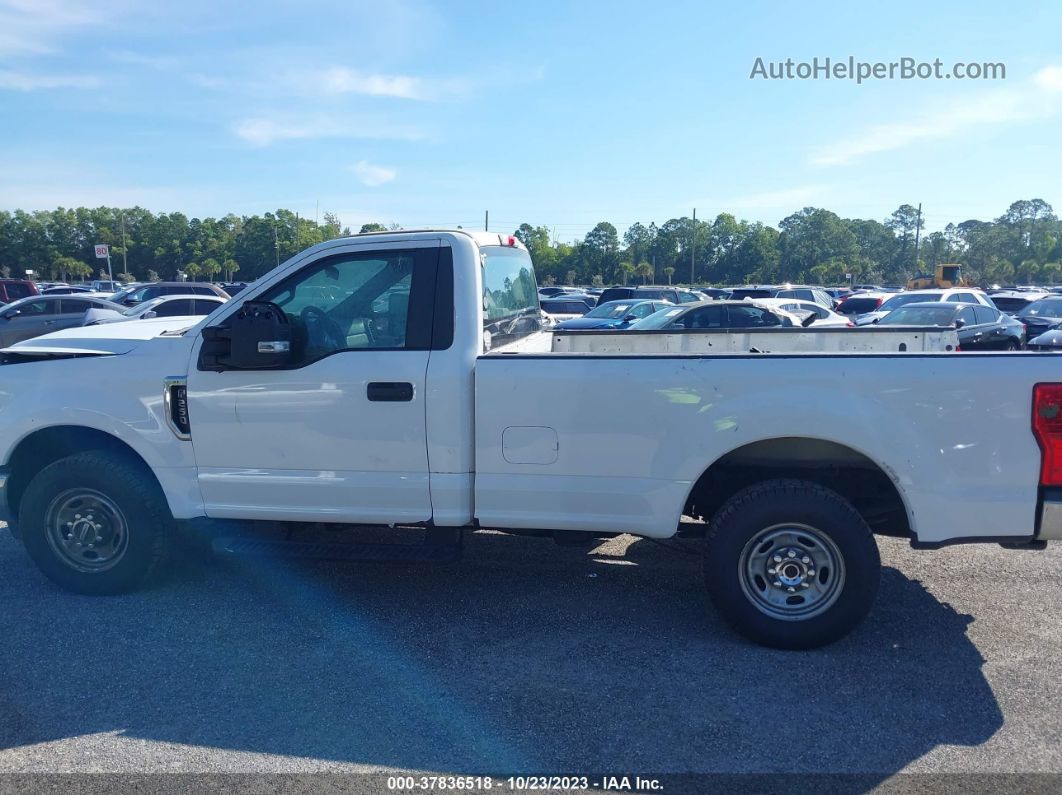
(405, 379)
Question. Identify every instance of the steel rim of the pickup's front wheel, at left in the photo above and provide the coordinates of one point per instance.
(87, 530)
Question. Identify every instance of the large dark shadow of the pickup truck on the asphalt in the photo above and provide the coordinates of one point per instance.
(522, 659)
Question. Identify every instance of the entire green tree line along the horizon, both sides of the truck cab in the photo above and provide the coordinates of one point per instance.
(814, 246)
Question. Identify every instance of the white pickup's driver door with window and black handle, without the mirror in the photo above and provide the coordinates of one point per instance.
(338, 434)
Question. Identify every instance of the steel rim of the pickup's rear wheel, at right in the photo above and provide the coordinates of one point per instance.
(792, 572)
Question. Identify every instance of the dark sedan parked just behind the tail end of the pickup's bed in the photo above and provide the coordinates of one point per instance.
(980, 327)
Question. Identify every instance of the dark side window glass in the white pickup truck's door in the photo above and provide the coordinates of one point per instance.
(362, 302)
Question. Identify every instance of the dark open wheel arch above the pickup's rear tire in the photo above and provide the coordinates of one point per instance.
(869, 486)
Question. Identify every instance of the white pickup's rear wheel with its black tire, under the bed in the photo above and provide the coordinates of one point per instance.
(744, 528)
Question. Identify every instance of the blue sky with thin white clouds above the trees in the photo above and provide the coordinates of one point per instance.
(556, 114)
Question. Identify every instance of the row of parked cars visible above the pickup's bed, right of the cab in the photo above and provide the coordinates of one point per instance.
(1001, 320)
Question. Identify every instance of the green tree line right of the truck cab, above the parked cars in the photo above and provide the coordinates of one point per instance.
(814, 246)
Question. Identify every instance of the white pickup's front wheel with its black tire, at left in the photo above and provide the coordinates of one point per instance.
(128, 492)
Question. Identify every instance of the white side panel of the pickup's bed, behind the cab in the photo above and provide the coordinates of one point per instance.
(616, 443)
